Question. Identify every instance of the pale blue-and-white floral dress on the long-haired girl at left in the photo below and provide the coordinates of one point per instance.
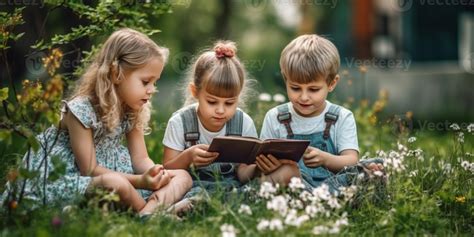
(109, 152)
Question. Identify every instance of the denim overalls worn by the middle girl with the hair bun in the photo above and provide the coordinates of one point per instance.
(215, 175)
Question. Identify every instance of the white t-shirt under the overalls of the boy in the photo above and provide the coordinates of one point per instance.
(343, 133)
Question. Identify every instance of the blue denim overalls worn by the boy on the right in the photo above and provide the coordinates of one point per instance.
(314, 177)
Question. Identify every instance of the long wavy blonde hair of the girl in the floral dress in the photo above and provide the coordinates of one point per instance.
(125, 50)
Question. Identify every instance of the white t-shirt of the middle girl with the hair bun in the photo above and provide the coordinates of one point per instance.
(174, 134)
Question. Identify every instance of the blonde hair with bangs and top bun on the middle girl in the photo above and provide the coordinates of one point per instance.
(219, 72)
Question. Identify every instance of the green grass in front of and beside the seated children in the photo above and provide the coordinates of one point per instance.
(427, 197)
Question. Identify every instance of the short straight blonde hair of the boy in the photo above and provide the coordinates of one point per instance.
(308, 58)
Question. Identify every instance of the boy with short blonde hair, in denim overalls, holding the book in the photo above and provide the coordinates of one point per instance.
(309, 65)
